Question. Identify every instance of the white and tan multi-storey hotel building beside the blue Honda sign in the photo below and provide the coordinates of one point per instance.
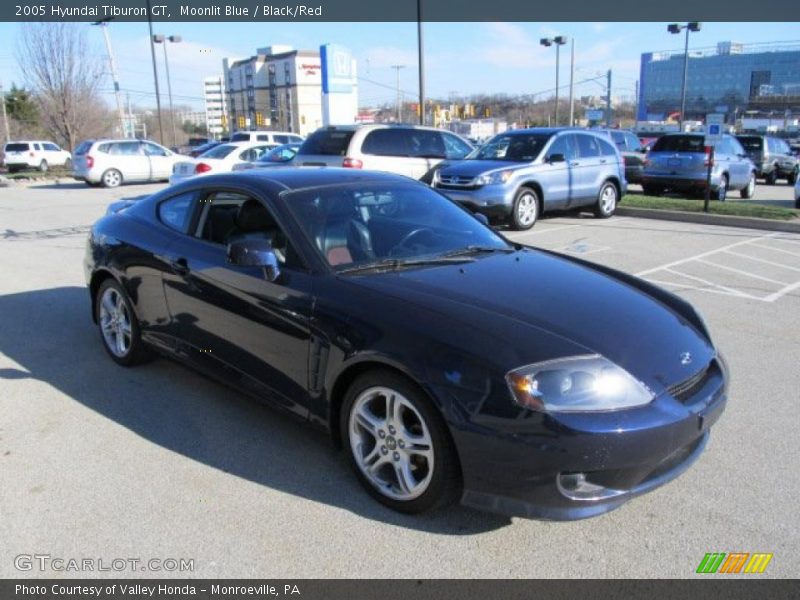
(277, 89)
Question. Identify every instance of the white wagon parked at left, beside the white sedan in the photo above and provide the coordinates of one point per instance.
(111, 162)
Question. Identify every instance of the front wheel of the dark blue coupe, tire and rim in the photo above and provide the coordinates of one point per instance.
(398, 444)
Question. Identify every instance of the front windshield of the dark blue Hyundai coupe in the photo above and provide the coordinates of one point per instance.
(388, 225)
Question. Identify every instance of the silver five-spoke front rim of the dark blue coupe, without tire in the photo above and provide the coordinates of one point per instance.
(391, 443)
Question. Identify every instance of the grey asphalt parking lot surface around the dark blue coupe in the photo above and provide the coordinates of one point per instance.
(157, 462)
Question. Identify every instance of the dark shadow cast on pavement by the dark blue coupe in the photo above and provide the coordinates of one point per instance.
(50, 335)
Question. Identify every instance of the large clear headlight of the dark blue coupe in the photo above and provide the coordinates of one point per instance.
(576, 384)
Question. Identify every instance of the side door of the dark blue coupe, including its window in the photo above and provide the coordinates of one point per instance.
(232, 321)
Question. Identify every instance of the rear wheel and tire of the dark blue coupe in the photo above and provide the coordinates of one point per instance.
(119, 328)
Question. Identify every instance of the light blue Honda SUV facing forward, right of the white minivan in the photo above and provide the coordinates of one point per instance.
(518, 175)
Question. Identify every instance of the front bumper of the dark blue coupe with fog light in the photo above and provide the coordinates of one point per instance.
(532, 471)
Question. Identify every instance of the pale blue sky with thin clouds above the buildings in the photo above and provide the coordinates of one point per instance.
(460, 58)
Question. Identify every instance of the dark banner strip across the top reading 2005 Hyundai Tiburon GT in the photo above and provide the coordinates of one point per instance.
(394, 10)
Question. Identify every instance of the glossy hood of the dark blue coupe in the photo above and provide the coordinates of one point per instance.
(520, 298)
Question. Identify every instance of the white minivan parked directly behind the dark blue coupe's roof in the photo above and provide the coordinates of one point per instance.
(402, 149)
